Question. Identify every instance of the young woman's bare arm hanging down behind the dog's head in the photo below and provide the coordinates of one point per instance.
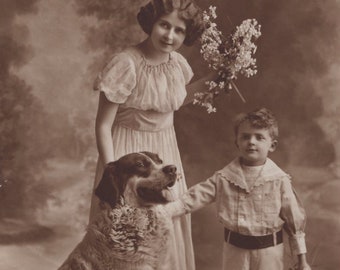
(106, 115)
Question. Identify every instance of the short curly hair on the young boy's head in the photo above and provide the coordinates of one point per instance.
(259, 118)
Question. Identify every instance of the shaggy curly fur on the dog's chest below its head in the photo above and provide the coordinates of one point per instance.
(134, 233)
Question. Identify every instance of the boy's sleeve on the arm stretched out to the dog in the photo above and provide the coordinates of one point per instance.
(195, 198)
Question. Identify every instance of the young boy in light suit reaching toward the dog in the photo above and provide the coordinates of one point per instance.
(254, 200)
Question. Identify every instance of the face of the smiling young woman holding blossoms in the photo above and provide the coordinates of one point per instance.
(168, 33)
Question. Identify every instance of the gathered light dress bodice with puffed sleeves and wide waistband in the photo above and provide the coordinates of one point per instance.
(148, 94)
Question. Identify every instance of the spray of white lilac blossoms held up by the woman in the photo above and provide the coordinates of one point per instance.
(228, 56)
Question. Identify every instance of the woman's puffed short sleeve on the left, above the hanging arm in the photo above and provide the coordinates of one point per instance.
(117, 79)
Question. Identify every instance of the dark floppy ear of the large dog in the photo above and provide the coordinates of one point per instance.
(108, 189)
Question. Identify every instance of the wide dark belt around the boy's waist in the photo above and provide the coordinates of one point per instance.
(253, 242)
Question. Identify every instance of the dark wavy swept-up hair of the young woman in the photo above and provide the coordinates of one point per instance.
(187, 11)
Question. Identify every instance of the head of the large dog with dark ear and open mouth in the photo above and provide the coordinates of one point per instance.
(139, 178)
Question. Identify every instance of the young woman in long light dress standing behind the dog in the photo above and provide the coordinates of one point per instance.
(140, 89)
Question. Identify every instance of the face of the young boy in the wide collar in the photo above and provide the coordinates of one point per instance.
(254, 144)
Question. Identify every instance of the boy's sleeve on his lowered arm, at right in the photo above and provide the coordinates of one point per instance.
(294, 215)
